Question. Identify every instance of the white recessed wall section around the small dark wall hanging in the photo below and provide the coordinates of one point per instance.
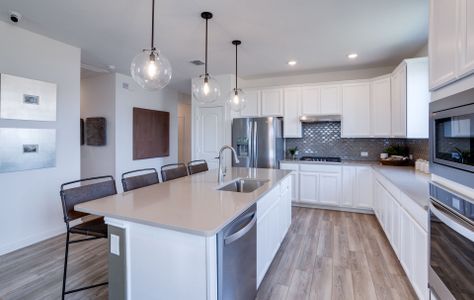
(98, 100)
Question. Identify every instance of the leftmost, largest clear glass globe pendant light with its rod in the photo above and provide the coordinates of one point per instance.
(151, 69)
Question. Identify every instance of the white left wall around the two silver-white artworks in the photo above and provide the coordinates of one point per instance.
(30, 207)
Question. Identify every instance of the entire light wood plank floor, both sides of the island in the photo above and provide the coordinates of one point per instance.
(325, 255)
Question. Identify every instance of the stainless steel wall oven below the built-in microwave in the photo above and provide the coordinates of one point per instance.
(451, 271)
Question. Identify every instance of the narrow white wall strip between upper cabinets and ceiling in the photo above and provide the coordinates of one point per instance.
(316, 77)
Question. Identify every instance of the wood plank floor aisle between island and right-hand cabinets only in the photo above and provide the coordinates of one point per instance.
(335, 255)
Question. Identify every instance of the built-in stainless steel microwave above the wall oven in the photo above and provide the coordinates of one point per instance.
(452, 138)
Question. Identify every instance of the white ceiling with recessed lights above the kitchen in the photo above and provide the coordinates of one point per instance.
(317, 33)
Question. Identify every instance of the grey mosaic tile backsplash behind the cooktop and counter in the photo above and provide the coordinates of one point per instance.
(324, 139)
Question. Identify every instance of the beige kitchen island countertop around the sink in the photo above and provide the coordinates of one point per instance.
(190, 204)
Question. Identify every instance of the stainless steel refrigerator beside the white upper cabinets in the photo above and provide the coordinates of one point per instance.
(258, 142)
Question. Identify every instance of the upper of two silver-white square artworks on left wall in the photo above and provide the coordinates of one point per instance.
(27, 99)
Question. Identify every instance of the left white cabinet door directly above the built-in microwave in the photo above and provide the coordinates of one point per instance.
(442, 41)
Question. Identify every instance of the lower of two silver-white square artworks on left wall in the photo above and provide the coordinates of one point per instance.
(26, 149)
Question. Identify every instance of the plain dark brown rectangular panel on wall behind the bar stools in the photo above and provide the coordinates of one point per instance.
(151, 133)
